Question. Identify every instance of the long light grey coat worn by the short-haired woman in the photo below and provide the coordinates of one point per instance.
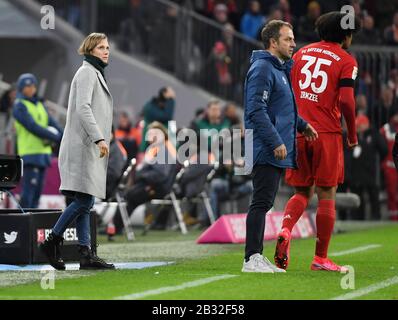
(89, 119)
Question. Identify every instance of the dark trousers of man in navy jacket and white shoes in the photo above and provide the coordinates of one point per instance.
(265, 186)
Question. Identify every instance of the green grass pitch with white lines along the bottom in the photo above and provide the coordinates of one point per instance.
(193, 275)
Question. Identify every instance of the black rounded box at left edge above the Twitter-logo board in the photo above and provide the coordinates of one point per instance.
(10, 171)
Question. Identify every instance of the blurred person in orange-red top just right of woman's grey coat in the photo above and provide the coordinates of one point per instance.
(128, 135)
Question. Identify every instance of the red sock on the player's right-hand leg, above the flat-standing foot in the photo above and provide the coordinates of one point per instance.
(325, 217)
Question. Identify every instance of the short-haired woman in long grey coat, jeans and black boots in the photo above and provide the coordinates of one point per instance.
(83, 156)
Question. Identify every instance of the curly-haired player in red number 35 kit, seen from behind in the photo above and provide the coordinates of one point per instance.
(323, 83)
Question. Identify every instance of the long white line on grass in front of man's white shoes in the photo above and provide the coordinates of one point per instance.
(183, 286)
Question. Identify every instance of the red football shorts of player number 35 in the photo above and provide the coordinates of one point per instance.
(320, 162)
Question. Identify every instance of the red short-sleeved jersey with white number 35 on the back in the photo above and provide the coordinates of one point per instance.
(317, 74)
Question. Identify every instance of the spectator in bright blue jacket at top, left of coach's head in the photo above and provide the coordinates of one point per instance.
(252, 20)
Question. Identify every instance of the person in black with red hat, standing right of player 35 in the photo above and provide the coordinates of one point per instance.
(364, 167)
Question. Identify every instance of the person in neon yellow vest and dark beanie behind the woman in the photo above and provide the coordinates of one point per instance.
(36, 130)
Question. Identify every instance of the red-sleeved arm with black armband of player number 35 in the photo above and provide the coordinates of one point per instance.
(347, 99)
